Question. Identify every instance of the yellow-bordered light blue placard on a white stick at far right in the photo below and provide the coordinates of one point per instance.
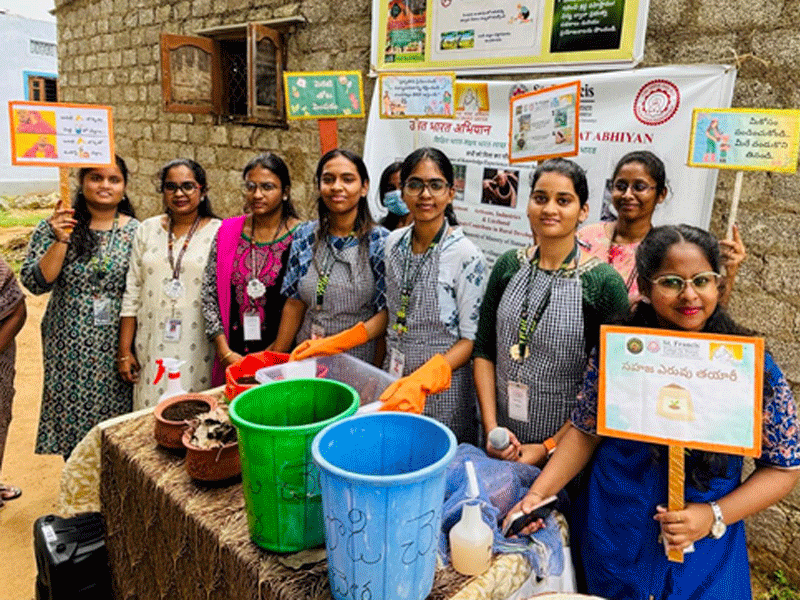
(745, 139)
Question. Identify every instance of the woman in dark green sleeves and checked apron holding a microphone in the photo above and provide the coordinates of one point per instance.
(540, 317)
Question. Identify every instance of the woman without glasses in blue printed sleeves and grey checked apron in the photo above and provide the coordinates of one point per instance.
(335, 280)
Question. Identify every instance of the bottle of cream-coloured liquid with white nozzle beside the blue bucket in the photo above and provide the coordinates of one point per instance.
(471, 539)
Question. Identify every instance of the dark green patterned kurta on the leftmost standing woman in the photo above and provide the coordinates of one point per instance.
(81, 384)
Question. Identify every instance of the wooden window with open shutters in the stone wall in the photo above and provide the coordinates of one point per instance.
(234, 71)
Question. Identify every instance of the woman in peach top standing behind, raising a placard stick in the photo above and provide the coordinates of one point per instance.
(638, 187)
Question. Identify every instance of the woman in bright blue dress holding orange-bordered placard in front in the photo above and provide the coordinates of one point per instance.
(621, 520)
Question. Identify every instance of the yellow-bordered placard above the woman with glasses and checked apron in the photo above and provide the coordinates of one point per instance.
(417, 95)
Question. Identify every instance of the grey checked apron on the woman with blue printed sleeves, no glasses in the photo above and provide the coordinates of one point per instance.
(348, 297)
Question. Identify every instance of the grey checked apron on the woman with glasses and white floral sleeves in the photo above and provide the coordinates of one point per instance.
(456, 407)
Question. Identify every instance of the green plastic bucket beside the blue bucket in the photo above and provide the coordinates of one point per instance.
(276, 423)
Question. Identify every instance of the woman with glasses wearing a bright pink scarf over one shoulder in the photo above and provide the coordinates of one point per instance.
(242, 299)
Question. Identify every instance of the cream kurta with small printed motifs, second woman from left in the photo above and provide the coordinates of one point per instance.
(145, 299)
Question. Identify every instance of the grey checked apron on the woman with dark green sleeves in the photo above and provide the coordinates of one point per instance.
(554, 369)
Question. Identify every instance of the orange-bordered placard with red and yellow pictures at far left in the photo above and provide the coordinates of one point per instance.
(60, 135)
